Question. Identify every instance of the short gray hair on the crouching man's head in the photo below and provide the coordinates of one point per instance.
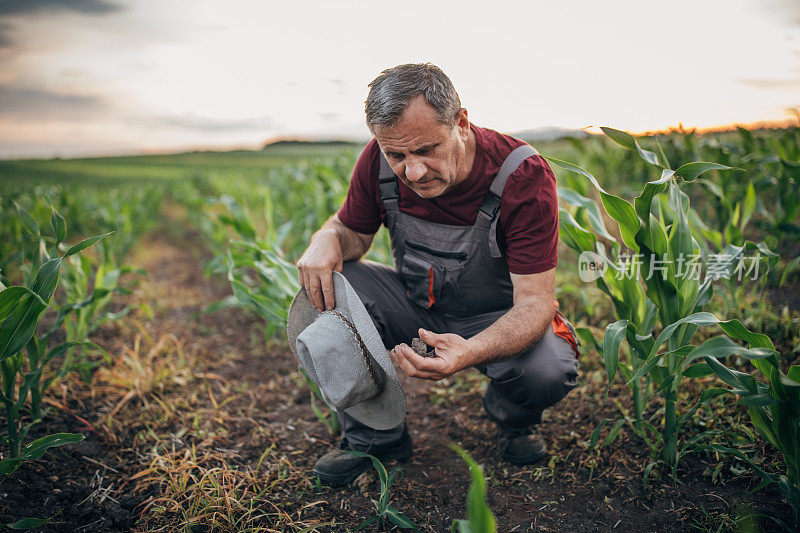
(392, 91)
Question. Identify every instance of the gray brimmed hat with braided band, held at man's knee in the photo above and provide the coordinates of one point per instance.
(343, 354)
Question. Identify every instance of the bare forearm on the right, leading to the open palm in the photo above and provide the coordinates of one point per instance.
(521, 327)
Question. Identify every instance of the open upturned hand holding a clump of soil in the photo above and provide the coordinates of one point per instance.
(453, 353)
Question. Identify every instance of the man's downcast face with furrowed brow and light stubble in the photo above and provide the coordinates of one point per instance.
(428, 157)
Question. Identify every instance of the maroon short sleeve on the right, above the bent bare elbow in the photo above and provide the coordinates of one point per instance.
(529, 218)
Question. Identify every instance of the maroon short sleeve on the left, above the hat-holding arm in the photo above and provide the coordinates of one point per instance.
(361, 208)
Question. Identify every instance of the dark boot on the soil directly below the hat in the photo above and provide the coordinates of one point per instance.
(338, 467)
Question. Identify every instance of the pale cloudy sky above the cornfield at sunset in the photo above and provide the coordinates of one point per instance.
(118, 76)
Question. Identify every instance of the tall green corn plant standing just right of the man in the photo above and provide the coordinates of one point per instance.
(660, 234)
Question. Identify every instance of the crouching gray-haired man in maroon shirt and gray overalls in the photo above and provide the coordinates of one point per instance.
(473, 220)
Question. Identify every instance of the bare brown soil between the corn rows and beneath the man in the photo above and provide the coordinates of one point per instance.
(212, 399)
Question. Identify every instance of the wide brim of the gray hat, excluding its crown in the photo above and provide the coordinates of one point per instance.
(384, 411)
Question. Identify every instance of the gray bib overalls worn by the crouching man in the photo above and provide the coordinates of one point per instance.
(454, 279)
